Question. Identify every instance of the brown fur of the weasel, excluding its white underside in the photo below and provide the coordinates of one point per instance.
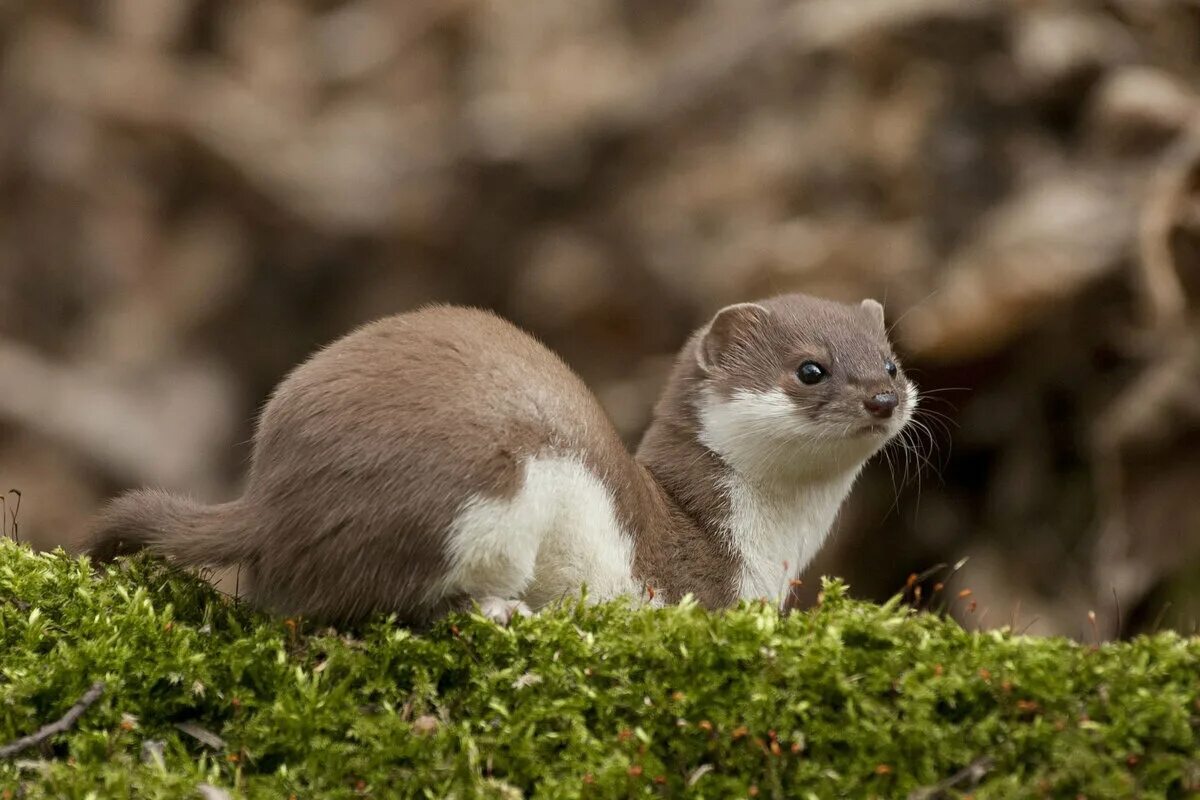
(367, 453)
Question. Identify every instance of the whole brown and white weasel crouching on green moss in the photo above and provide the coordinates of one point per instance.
(443, 458)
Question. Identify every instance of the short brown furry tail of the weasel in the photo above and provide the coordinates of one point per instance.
(167, 525)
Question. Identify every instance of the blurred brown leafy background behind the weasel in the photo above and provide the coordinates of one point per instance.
(196, 194)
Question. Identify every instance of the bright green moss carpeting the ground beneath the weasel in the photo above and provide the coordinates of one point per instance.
(851, 700)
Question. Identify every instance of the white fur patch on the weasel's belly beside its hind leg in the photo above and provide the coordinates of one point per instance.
(559, 533)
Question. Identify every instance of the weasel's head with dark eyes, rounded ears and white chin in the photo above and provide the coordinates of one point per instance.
(800, 382)
